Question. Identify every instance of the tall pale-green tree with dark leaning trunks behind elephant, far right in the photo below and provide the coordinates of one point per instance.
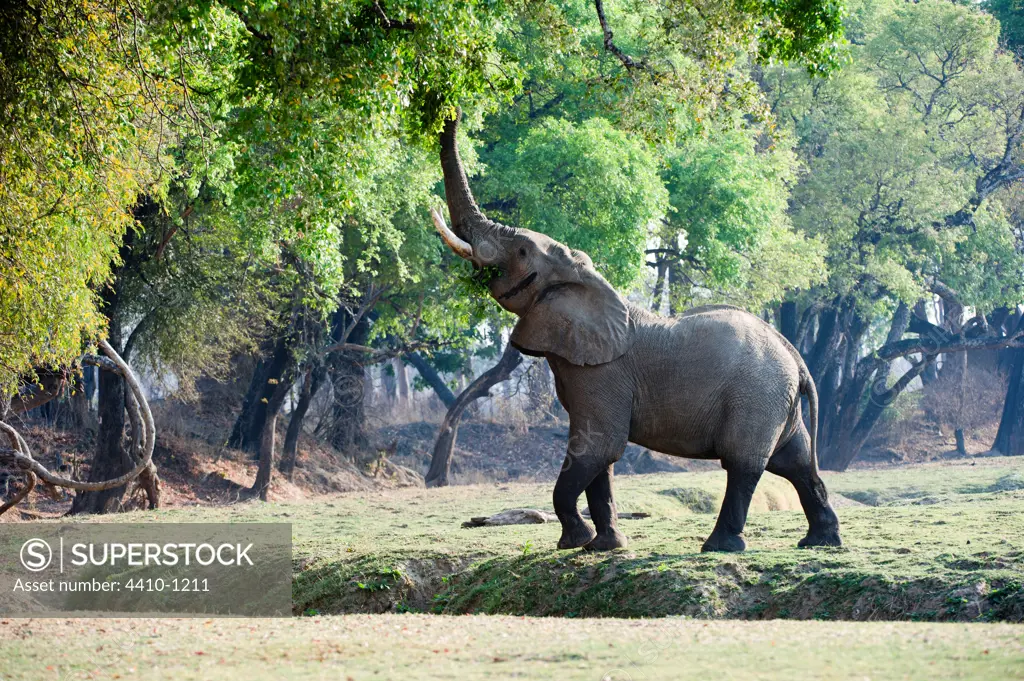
(905, 151)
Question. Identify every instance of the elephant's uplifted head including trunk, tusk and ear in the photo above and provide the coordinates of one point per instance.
(566, 307)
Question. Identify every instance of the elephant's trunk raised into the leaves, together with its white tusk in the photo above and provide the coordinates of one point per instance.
(470, 225)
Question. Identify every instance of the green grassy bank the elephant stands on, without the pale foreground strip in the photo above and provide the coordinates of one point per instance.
(943, 543)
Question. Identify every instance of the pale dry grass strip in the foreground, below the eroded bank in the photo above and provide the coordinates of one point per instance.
(413, 648)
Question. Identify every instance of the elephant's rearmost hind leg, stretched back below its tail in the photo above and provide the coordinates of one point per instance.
(795, 462)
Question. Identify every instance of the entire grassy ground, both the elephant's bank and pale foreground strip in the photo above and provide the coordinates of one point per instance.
(938, 543)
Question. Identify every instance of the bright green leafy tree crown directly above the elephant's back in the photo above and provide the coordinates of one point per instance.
(730, 222)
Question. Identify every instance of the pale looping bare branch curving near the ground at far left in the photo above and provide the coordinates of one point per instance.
(144, 436)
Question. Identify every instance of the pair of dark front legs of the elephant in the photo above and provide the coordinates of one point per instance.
(591, 453)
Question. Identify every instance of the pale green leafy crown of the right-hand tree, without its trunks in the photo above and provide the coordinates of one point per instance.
(898, 144)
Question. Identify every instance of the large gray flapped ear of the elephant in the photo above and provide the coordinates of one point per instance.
(585, 322)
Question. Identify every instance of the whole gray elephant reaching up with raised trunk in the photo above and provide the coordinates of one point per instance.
(714, 384)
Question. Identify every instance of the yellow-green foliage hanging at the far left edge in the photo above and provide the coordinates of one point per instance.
(80, 145)
